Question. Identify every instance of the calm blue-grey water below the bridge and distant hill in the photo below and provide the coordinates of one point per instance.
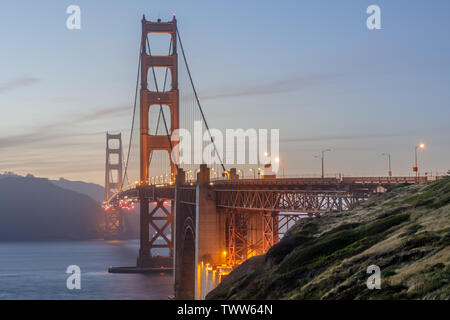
(36, 270)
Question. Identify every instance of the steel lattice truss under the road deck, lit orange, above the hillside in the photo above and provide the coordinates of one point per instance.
(257, 218)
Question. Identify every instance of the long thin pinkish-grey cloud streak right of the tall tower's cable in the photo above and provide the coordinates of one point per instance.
(281, 86)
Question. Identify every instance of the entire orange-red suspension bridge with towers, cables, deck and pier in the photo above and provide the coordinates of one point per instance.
(210, 219)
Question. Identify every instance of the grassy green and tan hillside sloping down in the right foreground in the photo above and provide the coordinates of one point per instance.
(405, 231)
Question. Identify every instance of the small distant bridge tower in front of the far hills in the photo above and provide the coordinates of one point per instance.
(114, 217)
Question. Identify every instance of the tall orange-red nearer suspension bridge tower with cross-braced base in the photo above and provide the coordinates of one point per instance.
(150, 143)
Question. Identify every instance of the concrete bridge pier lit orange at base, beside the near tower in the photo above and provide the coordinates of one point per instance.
(199, 237)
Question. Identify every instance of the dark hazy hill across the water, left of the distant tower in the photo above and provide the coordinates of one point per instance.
(37, 209)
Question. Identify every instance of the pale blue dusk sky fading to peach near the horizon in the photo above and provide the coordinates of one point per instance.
(309, 68)
